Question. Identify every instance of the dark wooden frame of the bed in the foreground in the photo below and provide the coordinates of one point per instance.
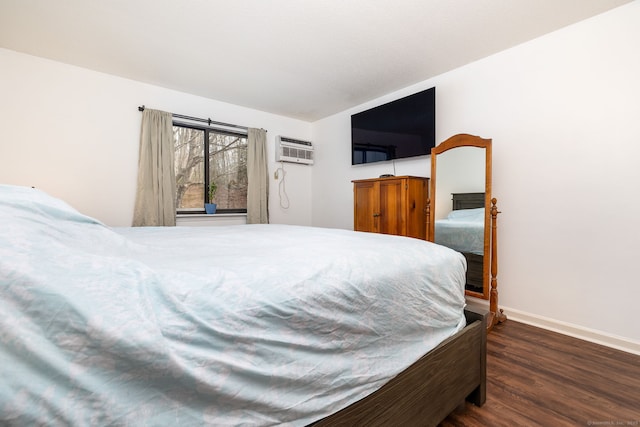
(431, 388)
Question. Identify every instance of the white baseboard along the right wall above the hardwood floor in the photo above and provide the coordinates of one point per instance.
(572, 330)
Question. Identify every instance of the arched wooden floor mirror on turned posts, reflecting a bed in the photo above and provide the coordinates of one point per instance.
(463, 215)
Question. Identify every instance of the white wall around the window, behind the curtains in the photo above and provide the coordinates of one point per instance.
(74, 133)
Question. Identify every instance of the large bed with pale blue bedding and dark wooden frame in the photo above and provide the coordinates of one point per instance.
(241, 325)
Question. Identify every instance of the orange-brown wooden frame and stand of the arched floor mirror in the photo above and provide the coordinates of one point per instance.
(490, 262)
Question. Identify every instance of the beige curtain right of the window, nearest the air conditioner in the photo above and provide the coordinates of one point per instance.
(258, 177)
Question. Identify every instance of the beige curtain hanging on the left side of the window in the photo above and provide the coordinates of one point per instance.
(156, 193)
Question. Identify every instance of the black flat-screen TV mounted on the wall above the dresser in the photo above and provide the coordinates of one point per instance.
(402, 128)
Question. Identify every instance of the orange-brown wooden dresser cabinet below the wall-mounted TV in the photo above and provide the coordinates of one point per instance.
(392, 205)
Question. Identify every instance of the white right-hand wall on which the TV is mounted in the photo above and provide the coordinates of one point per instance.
(564, 115)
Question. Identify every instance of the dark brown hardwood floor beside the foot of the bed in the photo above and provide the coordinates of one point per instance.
(540, 378)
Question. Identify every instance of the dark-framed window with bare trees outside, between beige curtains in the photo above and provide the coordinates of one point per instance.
(226, 165)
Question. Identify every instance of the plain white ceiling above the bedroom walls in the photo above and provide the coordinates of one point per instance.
(304, 59)
